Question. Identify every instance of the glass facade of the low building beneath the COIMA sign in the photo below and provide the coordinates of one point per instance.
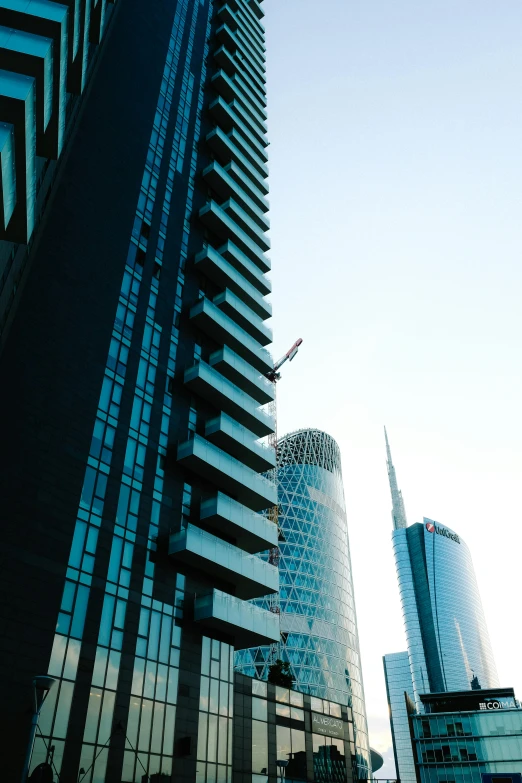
(462, 746)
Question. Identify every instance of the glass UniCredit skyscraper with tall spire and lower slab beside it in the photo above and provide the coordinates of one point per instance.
(446, 635)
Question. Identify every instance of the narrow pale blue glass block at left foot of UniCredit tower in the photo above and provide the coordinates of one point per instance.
(398, 682)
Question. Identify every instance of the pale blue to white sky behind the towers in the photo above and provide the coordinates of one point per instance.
(396, 194)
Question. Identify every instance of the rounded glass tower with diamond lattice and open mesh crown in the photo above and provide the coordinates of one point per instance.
(318, 619)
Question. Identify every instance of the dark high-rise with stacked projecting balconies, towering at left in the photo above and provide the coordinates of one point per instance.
(133, 362)
